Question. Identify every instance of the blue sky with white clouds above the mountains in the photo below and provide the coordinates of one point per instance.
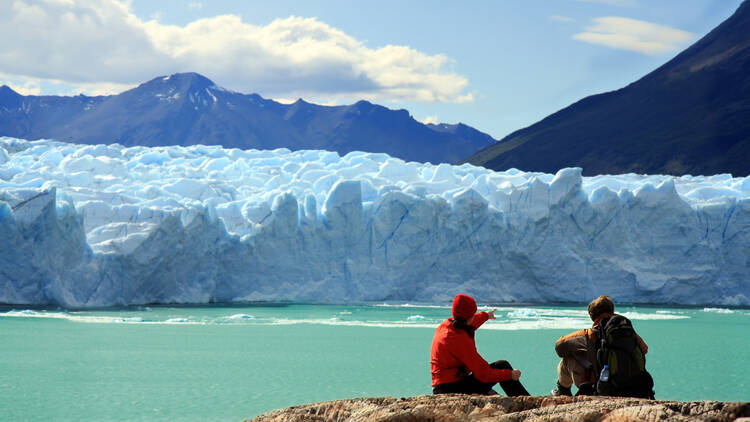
(496, 65)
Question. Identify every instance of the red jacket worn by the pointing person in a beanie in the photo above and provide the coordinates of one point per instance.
(454, 355)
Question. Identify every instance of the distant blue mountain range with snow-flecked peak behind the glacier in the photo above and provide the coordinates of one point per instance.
(187, 109)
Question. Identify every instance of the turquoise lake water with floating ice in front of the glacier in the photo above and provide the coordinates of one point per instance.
(233, 363)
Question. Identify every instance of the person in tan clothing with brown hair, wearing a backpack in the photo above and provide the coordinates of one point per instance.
(578, 352)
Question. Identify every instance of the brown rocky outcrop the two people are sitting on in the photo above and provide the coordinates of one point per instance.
(497, 408)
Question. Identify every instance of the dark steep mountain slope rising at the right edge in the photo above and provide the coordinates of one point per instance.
(689, 116)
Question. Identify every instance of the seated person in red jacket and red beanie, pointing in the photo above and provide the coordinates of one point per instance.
(455, 364)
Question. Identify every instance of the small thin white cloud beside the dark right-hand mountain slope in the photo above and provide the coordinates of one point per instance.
(634, 35)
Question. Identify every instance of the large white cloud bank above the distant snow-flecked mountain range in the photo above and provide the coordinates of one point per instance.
(103, 42)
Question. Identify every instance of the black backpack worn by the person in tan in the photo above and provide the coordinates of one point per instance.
(619, 348)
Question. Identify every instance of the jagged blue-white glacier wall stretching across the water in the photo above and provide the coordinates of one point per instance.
(104, 225)
